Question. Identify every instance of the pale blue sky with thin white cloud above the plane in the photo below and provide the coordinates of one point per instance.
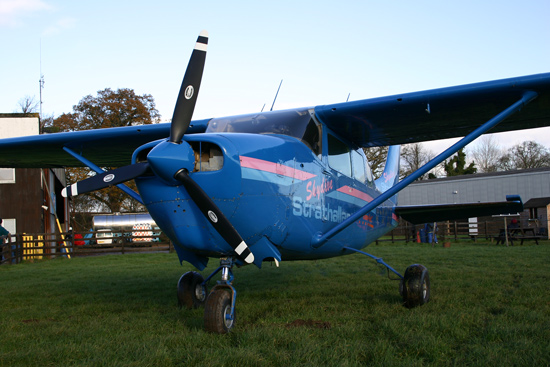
(322, 50)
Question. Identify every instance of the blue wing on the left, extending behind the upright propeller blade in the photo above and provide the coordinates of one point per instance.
(112, 147)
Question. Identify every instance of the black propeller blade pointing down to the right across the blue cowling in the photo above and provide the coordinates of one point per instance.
(215, 216)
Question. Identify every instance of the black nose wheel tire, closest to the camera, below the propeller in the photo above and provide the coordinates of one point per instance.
(218, 305)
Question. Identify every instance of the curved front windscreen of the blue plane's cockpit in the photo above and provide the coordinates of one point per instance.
(296, 123)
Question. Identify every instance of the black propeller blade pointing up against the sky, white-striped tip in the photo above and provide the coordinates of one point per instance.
(183, 112)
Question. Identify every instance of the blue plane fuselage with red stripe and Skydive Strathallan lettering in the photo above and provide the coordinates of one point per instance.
(279, 179)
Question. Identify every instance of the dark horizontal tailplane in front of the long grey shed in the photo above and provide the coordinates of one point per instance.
(418, 214)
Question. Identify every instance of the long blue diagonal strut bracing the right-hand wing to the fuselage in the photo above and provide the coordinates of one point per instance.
(319, 239)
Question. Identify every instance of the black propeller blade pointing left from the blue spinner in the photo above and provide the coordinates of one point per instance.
(106, 179)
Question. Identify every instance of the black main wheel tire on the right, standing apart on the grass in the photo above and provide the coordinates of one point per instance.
(415, 286)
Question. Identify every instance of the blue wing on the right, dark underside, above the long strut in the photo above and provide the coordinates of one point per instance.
(439, 113)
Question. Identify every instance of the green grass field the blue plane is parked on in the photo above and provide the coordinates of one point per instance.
(490, 306)
